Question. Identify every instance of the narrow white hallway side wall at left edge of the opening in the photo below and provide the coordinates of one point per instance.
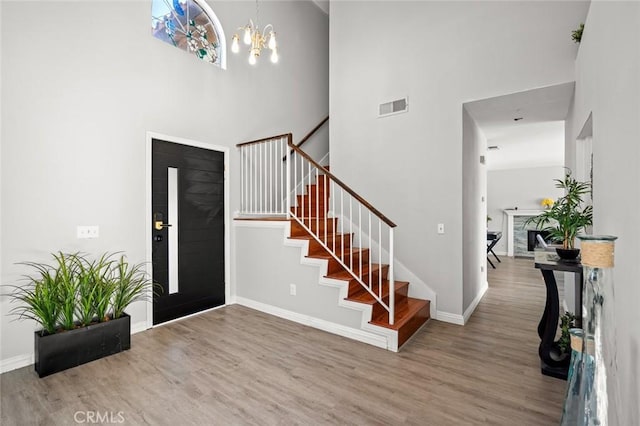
(474, 207)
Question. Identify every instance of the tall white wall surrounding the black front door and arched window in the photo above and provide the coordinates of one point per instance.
(82, 86)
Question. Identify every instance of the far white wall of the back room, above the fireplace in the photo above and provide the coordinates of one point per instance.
(522, 188)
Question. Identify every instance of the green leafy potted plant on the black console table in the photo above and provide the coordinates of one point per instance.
(566, 218)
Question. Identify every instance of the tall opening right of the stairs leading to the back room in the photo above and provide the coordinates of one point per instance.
(513, 149)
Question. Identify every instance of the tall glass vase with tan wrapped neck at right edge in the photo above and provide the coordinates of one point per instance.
(597, 362)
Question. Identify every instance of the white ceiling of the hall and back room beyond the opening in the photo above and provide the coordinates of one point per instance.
(536, 139)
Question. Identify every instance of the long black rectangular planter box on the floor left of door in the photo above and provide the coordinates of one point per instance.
(60, 351)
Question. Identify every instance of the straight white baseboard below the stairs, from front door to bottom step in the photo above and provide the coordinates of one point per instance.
(330, 327)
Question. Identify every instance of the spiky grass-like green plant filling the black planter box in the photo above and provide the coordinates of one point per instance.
(76, 291)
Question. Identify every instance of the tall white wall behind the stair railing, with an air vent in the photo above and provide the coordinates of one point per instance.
(440, 54)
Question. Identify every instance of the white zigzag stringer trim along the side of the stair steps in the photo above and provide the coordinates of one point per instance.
(391, 336)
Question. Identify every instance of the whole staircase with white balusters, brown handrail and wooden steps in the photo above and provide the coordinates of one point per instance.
(355, 240)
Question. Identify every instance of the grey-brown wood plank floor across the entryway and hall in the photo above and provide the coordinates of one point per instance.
(239, 366)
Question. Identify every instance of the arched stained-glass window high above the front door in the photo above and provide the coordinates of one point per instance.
(192, 26)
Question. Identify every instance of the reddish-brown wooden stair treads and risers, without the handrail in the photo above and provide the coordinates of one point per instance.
(410, 313)
